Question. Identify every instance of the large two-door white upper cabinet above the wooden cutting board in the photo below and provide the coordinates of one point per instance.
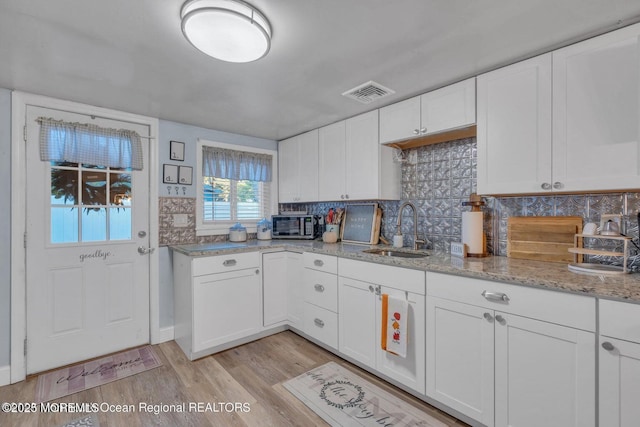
(565, 121)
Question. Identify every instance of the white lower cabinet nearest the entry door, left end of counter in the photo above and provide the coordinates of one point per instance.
(217, 300)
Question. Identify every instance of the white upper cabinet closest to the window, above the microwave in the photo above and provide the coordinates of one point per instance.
(298, 168)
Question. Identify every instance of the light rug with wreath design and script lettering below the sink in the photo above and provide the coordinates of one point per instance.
(342, 398)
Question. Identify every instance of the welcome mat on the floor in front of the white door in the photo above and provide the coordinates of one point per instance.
(83, 376)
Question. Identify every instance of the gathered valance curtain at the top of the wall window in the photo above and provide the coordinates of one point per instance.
(238, 165)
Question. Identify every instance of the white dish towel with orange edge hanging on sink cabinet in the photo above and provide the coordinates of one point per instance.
(394, 325)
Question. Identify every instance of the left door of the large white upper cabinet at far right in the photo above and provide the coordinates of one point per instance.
(514, 128)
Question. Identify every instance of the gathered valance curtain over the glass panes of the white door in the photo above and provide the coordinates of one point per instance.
(62, 141)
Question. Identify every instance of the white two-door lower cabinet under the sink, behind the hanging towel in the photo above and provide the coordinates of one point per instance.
(360, 322)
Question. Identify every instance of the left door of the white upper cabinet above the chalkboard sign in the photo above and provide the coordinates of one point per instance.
(332, 162)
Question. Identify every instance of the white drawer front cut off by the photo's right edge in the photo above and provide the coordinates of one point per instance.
(620, 320)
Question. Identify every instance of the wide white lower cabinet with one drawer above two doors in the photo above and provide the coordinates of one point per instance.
(511, 356)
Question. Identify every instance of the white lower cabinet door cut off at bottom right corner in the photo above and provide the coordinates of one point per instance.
(619, 382)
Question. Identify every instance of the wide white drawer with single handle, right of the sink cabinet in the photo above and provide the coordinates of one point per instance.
(556, 307)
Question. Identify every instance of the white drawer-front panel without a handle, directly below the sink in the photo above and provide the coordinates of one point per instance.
(404, 279)
